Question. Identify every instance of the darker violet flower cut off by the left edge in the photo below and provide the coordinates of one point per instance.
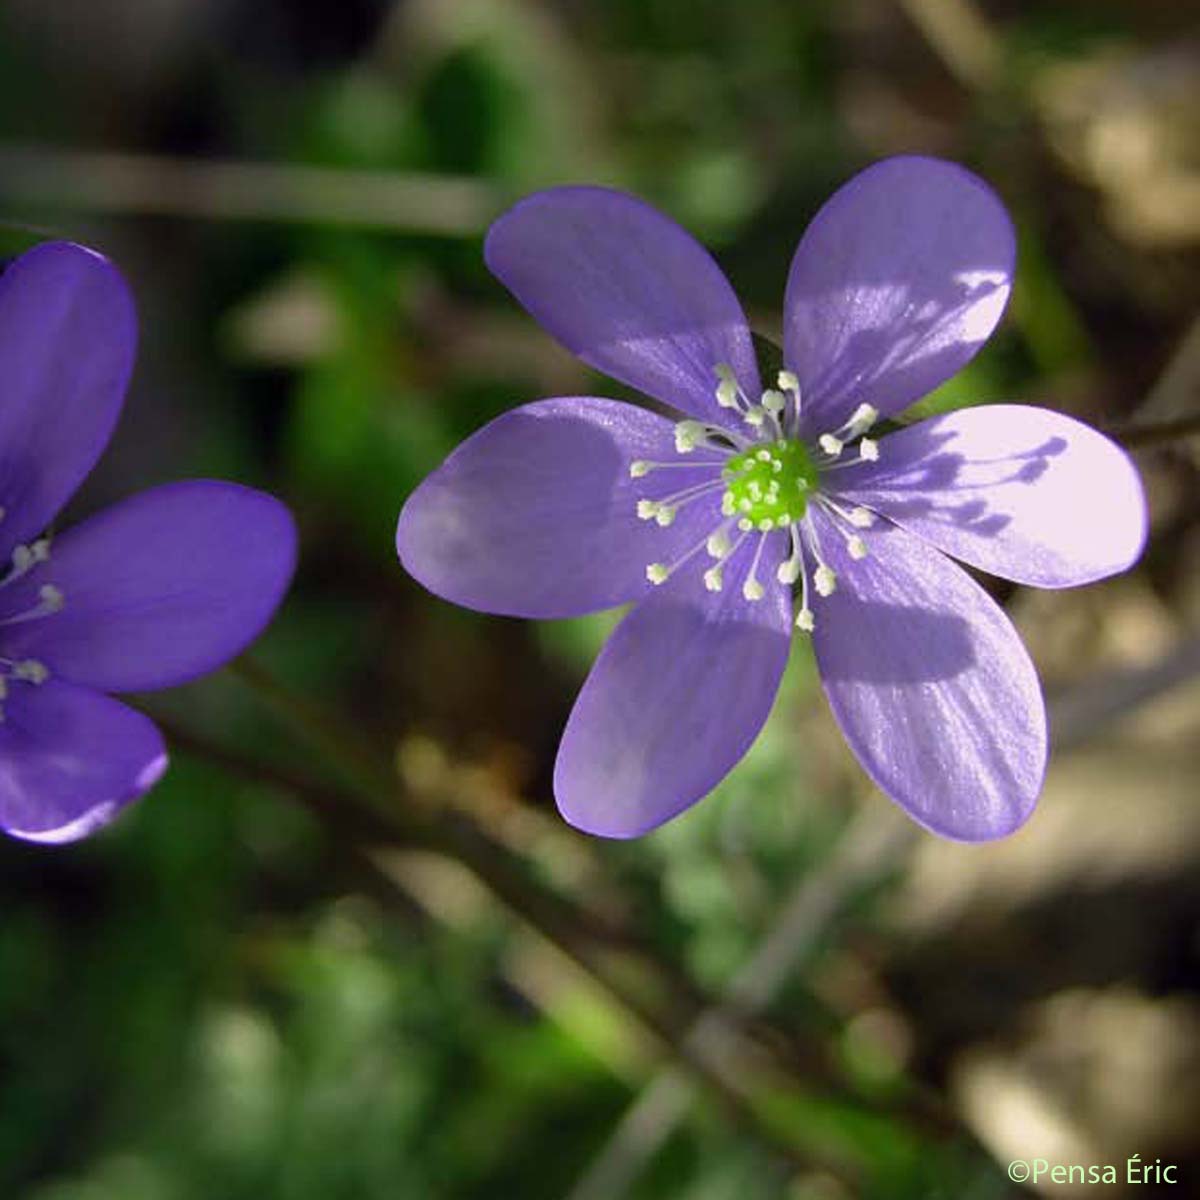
(153, 592)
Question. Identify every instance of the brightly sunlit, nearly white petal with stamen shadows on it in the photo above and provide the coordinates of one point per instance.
(1022, 493)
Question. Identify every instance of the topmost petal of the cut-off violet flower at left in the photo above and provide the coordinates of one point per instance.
(68, 338)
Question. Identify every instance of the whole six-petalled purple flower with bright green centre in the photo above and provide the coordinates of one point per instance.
(765, 511)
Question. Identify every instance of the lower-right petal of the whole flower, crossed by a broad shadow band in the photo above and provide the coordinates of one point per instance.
(932, 687)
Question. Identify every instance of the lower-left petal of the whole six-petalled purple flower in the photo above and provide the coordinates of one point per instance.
(676, 699)
